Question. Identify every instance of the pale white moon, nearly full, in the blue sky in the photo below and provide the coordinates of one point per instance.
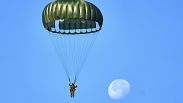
(118, 89)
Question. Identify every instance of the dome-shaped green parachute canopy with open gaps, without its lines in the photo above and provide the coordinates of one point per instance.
(72, 17)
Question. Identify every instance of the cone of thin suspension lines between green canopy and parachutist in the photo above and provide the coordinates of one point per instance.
(73, 51)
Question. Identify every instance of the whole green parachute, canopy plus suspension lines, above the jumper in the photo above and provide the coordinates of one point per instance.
(73, 27)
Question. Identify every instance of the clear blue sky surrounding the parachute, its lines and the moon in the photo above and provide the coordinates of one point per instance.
(141, 41)
